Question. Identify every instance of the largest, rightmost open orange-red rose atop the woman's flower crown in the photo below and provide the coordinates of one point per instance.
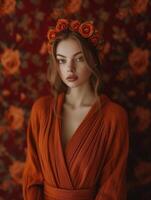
(86, 29)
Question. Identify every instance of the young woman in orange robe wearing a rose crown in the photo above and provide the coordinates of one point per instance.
(77, 139)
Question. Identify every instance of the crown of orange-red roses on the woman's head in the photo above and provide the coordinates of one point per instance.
(85, 29)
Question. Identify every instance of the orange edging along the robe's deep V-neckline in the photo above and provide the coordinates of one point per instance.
(61, 98)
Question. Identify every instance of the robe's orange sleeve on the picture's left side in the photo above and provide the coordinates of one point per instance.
(32, 175)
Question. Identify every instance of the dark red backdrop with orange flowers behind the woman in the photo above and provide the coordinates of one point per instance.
(126, 28)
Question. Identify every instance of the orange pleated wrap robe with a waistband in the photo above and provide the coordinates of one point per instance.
(93, 164)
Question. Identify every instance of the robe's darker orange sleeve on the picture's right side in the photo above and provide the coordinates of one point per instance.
(112, 180)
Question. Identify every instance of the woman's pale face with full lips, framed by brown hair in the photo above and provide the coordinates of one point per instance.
(73, 67)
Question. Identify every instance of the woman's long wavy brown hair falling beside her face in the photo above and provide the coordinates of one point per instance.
(91, 56)
